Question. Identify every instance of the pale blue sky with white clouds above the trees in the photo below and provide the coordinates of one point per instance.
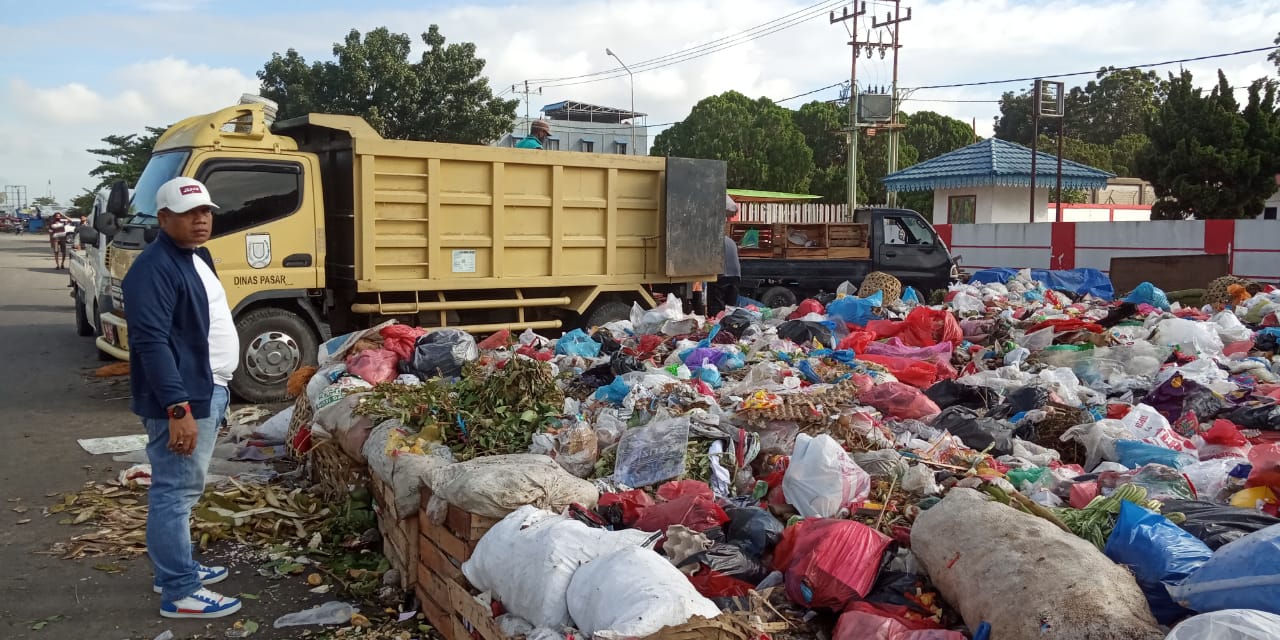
(77, 71)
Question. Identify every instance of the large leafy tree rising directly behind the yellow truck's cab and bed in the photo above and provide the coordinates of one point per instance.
(444, 97)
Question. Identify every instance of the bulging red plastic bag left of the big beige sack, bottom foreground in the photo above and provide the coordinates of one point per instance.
(830, 564)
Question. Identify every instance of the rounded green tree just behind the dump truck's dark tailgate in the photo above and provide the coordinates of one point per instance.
(758, 139)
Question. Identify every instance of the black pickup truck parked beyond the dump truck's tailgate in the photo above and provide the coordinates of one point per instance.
(900, 243)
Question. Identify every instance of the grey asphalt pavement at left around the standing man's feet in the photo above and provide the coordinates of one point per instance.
(49, 399)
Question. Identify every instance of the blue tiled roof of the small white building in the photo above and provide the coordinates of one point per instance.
(994, 163)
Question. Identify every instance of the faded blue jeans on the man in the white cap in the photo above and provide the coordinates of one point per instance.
(177, 484)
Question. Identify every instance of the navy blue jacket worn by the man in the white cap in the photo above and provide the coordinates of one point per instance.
(168, 314)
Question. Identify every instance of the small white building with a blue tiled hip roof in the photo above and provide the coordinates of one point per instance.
(990, 182)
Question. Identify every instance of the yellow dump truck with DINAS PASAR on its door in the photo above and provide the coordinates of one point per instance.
(326, 227)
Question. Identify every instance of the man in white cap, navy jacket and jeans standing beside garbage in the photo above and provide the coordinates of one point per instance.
(185, 350)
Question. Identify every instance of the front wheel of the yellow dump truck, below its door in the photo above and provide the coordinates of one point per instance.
(275, 344)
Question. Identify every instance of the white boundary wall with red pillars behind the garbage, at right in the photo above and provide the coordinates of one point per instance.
(1252, 246)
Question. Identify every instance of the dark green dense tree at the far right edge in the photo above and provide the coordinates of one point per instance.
(1206, 159)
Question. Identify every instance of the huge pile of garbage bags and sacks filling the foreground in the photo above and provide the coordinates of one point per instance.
(1014, 463)
